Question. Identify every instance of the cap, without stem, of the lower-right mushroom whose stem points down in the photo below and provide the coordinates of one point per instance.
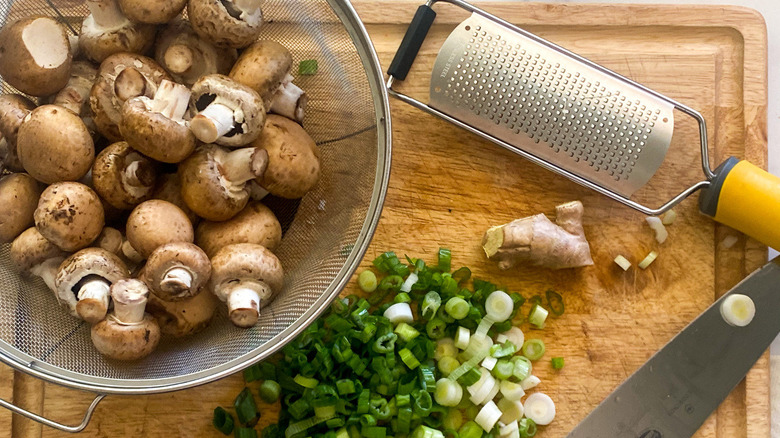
(245, 262)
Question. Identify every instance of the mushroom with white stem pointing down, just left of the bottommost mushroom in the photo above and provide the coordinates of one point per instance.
(84, 279)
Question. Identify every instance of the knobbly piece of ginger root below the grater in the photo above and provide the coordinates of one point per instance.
(535, 240)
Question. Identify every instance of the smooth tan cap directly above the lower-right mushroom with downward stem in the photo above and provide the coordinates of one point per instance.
(256, 223)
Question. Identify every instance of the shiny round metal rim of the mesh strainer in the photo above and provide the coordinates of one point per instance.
(30, 365)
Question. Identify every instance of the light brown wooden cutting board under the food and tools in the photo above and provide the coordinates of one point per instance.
(447, 187)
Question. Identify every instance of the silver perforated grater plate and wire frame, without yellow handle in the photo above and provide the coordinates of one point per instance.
(553, 107)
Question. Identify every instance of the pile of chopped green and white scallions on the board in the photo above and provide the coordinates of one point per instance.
(411, 358)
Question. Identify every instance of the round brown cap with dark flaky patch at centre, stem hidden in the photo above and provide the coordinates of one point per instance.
(70, 215)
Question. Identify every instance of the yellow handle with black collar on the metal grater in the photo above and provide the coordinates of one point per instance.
(746, 198)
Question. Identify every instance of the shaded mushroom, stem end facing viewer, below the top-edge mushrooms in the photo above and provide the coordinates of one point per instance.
(188, 57)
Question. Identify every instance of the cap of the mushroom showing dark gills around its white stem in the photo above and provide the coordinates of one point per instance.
(249, 111)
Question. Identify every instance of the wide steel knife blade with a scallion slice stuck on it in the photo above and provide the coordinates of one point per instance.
(672, 394)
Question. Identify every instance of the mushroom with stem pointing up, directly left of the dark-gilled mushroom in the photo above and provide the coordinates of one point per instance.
(156, 127)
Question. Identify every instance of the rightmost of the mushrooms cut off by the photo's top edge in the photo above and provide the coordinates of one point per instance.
(226, 23)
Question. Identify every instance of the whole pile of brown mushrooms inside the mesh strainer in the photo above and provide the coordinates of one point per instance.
(134, 160)
